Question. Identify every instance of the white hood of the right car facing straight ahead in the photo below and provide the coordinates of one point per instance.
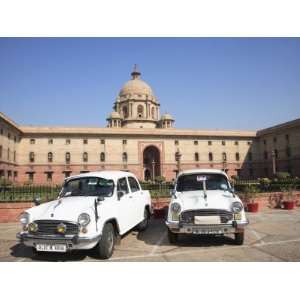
(214, 200)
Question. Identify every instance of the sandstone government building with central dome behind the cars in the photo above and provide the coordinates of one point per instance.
(141, 140)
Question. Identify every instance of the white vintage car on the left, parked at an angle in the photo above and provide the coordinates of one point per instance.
(92, 211)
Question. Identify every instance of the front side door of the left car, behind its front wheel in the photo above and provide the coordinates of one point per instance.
(125, 206)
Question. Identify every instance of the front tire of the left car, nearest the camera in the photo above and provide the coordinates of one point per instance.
(106, 245)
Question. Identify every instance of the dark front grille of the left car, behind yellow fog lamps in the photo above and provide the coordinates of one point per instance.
(50, 227)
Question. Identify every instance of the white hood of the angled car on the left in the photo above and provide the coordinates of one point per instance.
(68, 209)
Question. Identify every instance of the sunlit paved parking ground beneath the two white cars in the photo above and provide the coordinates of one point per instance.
(273, 235)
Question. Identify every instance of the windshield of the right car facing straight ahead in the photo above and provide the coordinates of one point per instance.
(194, 182)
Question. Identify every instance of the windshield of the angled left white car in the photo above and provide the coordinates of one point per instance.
(88, 186)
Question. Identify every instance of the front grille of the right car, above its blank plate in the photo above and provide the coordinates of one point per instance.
(188, 216)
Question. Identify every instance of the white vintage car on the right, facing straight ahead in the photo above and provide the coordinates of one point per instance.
(203, 202)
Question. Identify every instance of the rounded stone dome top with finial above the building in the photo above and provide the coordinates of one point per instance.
(136, 86)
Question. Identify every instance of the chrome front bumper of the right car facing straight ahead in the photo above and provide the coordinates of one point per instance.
(233, 227)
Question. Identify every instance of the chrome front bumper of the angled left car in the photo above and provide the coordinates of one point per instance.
(73, 242)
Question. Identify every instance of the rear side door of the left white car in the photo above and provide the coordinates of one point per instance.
(137, 199)
